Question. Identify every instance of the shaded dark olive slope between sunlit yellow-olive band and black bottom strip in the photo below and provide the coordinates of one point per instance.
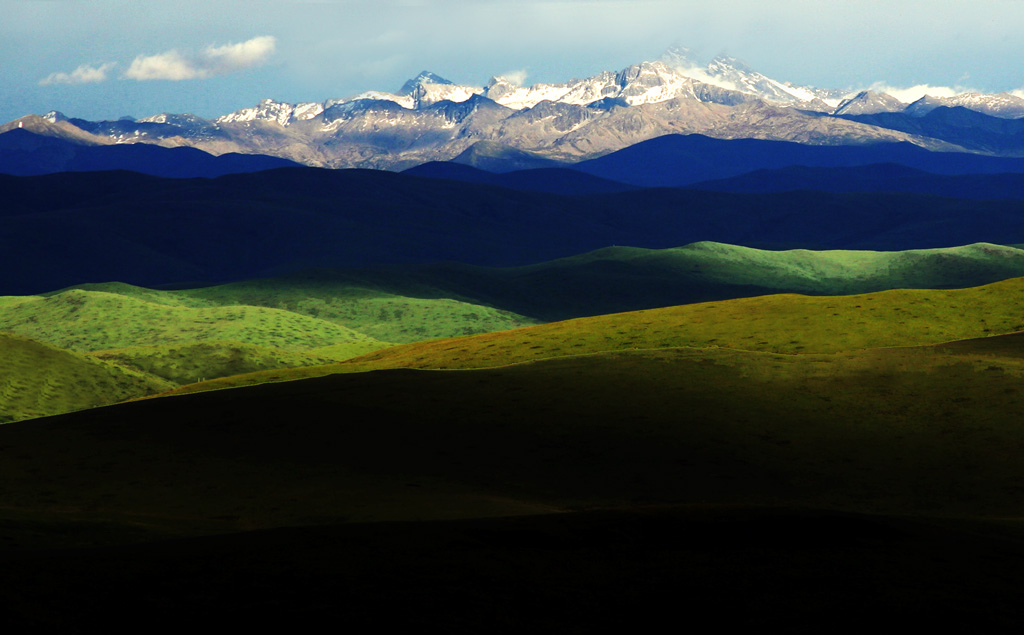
(895, 431)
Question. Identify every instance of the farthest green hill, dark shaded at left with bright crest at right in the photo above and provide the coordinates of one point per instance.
(623, 279)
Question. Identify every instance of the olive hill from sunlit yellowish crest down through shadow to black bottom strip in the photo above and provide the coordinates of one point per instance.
(897, 402)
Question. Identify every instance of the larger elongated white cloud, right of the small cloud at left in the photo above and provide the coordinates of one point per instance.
(211, 62)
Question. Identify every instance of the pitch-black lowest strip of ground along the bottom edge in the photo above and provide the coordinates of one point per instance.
(783, 570)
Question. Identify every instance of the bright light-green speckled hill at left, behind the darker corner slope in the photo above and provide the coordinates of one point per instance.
(156, 335)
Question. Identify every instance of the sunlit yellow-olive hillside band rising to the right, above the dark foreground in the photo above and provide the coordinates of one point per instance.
(780, 324)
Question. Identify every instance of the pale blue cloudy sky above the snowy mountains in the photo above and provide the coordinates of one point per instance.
(106, 59)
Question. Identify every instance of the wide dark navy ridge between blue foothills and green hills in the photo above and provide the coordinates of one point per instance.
(64, 230)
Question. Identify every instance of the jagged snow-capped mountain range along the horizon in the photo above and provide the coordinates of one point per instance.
(432, 118)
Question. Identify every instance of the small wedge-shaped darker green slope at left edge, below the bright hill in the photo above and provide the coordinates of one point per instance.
(37, 380)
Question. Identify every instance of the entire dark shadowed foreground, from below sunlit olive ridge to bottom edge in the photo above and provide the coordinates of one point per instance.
(738, 481)
